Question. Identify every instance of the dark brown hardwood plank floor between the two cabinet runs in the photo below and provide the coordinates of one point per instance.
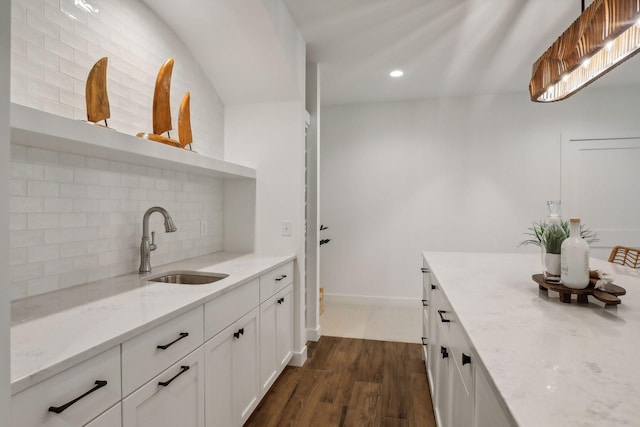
(351, 383)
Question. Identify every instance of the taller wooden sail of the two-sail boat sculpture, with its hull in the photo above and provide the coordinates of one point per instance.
(162, 108)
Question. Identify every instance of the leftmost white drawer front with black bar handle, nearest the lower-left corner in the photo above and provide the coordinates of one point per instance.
(31, 407)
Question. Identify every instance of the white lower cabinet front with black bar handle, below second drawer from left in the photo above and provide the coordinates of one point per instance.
(173, 398)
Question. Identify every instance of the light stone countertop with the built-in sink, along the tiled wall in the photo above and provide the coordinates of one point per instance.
(55, 331)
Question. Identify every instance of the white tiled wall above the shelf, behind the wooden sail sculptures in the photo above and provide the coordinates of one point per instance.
(55, 44)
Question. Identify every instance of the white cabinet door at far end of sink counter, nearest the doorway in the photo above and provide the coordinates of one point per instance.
(276, 336)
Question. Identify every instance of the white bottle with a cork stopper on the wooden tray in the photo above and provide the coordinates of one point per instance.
(575, 258)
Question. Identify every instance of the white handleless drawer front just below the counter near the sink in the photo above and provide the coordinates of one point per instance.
(226, 309)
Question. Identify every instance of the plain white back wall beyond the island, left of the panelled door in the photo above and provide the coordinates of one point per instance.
(452, 174)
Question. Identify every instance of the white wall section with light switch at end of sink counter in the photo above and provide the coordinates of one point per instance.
(270, 138)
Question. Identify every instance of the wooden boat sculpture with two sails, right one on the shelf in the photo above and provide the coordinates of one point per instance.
(162, 112)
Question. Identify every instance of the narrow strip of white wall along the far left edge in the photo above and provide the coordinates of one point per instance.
(5, 12)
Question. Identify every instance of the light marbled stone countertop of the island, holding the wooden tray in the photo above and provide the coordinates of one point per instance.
(553, 364)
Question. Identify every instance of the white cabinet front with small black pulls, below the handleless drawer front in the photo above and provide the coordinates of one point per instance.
(231, 359)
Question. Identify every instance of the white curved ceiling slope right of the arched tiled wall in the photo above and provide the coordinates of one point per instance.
(250, 50)
